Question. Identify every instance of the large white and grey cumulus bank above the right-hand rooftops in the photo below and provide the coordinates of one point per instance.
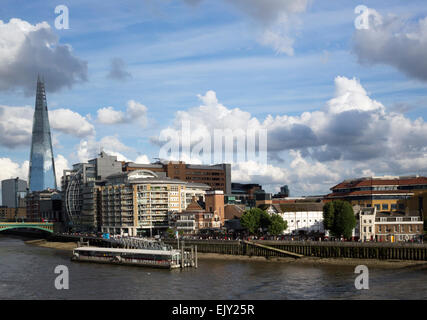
(352, 135)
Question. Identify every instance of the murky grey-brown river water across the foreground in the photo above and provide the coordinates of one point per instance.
(27, 272)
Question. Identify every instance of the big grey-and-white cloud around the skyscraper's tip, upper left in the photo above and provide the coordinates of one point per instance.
(27, 50)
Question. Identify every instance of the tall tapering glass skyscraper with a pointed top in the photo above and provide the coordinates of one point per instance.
(42, 167)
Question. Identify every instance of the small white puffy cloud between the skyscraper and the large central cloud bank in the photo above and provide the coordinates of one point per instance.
(135, 113)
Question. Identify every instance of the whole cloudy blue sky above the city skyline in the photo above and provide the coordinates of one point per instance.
(338, 89)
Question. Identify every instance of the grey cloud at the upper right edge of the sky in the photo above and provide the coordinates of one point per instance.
(393, 41)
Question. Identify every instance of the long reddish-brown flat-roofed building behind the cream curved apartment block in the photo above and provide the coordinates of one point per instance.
(217, 176)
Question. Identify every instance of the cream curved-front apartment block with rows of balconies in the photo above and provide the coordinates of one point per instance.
(139, 202)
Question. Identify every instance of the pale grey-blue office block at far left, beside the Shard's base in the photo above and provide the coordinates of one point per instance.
(13, 193)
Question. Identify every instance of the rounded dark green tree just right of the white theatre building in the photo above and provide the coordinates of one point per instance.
(338, 218)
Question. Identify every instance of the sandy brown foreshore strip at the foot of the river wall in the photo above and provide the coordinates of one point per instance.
(393, 264)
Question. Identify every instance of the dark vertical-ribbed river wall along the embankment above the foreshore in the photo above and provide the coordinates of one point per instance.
(270, 248)
